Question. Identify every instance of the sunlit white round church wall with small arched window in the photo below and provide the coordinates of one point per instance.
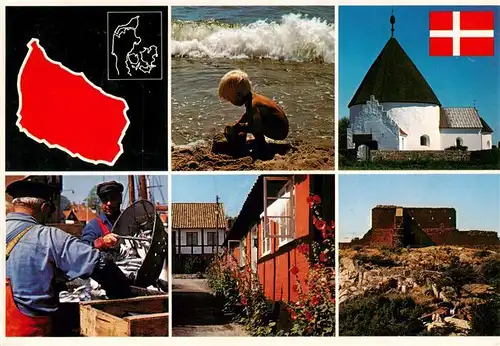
(416, 120)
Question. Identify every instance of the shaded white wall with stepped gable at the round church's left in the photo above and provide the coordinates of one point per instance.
(371, 118)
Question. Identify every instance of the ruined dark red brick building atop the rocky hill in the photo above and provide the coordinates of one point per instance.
(396, 226)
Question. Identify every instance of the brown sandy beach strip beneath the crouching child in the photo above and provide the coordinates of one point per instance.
(218, 155)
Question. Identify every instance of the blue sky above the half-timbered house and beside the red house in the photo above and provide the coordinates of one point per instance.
(232, 189)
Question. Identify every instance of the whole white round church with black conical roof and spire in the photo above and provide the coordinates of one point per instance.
(395, 108)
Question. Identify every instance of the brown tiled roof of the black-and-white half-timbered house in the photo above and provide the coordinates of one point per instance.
(197, 215)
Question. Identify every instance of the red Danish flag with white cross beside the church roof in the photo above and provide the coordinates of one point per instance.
(463, 33)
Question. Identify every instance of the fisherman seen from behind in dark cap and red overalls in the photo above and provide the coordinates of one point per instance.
(36, 254)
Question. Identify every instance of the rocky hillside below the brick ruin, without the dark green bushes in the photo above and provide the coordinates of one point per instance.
(445, 282)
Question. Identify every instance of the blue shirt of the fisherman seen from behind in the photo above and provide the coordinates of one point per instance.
(41, 254)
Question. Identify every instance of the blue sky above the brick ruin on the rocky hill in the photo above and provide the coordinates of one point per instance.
(474, 197)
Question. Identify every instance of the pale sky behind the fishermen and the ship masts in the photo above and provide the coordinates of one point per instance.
(77, 188)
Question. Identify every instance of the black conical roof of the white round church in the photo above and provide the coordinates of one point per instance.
(393, 77)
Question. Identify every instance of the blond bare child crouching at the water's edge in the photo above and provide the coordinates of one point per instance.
(263, 117)
